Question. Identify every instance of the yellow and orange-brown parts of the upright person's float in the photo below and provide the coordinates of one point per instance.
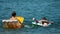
(19, 18)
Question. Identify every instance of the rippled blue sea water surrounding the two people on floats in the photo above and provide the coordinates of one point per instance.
(29, 9)
